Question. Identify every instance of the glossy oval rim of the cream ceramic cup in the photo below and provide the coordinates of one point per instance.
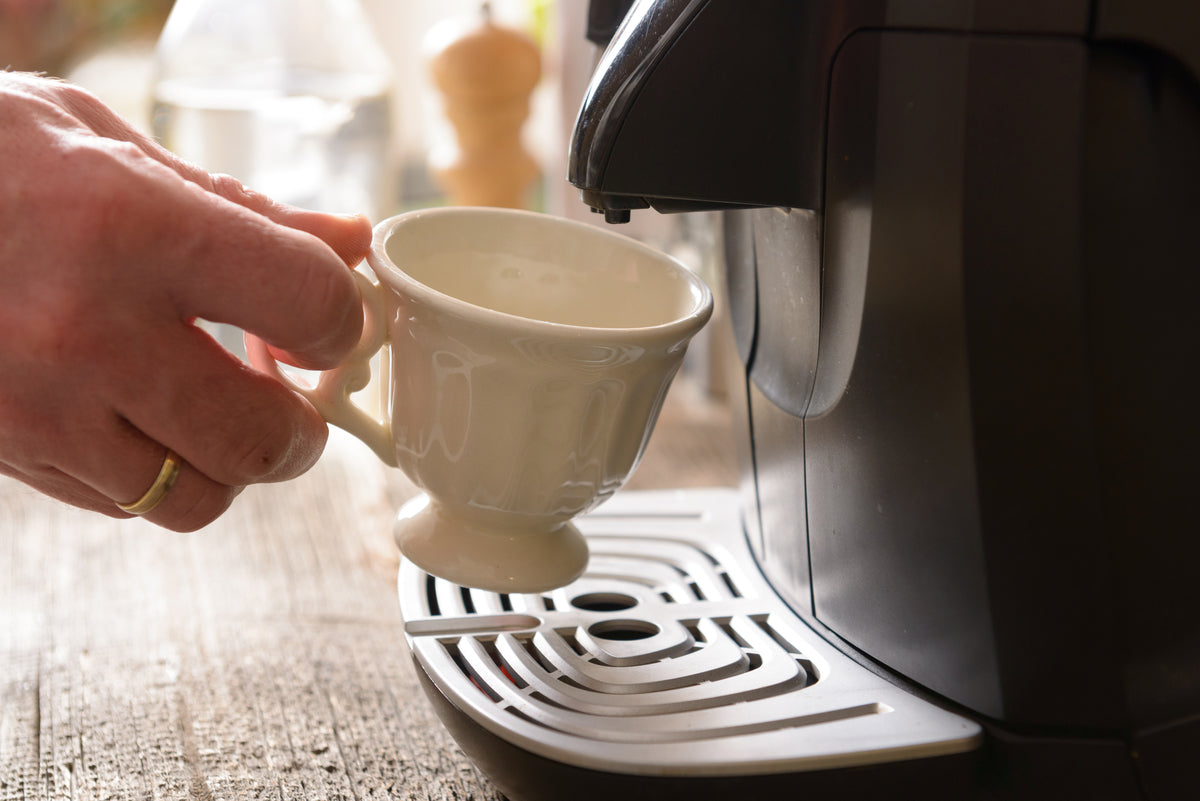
(385, 269)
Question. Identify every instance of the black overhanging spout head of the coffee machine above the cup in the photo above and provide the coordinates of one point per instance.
(688, 111)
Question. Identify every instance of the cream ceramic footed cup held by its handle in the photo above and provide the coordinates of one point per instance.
(530, 357)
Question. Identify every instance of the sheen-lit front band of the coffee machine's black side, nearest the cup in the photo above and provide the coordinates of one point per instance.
(896, 543)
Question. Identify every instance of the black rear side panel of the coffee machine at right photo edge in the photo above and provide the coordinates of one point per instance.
(1143, 196)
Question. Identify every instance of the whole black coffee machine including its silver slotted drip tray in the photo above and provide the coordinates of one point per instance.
(964, 559)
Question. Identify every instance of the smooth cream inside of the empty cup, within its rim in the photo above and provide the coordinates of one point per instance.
(543, 268)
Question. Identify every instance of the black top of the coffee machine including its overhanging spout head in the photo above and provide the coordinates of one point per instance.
(695, 104)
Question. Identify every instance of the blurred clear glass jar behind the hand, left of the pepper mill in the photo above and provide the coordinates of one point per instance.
(290, 97)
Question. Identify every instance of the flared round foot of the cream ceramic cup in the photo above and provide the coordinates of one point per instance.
(489, 559)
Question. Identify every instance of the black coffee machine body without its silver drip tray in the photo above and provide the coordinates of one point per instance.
(963, 264)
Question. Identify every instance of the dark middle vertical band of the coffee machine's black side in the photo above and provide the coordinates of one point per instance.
(1053, 571)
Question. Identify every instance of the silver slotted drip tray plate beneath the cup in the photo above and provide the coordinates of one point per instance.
(670, 657)
